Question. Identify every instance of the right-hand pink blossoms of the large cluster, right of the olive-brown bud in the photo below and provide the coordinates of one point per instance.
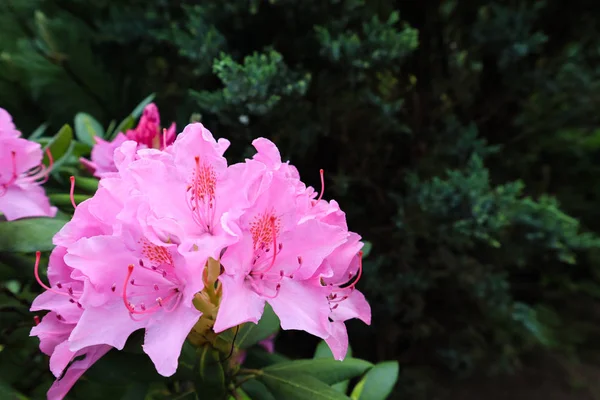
(296, 254)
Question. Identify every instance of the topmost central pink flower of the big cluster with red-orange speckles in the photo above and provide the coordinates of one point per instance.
(194, 197)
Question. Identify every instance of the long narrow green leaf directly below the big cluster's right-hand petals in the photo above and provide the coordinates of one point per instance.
(326, 370)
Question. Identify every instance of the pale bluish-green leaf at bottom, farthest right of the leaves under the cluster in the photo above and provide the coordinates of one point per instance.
(378, 383)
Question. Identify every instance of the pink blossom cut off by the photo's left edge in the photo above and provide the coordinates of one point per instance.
(21, 174)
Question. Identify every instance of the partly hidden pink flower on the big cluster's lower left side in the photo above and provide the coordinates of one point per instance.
(62, 300)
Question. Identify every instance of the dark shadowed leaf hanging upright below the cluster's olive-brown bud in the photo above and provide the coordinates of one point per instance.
(210, 378)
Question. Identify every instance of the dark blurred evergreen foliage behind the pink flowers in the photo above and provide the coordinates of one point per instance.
(461, 138)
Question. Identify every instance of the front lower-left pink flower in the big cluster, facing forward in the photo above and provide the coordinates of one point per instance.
(136, 284)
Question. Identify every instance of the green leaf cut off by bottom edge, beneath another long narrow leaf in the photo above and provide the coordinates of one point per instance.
(292, 386)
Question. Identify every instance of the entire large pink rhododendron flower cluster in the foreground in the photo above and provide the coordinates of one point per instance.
(141, 254)
